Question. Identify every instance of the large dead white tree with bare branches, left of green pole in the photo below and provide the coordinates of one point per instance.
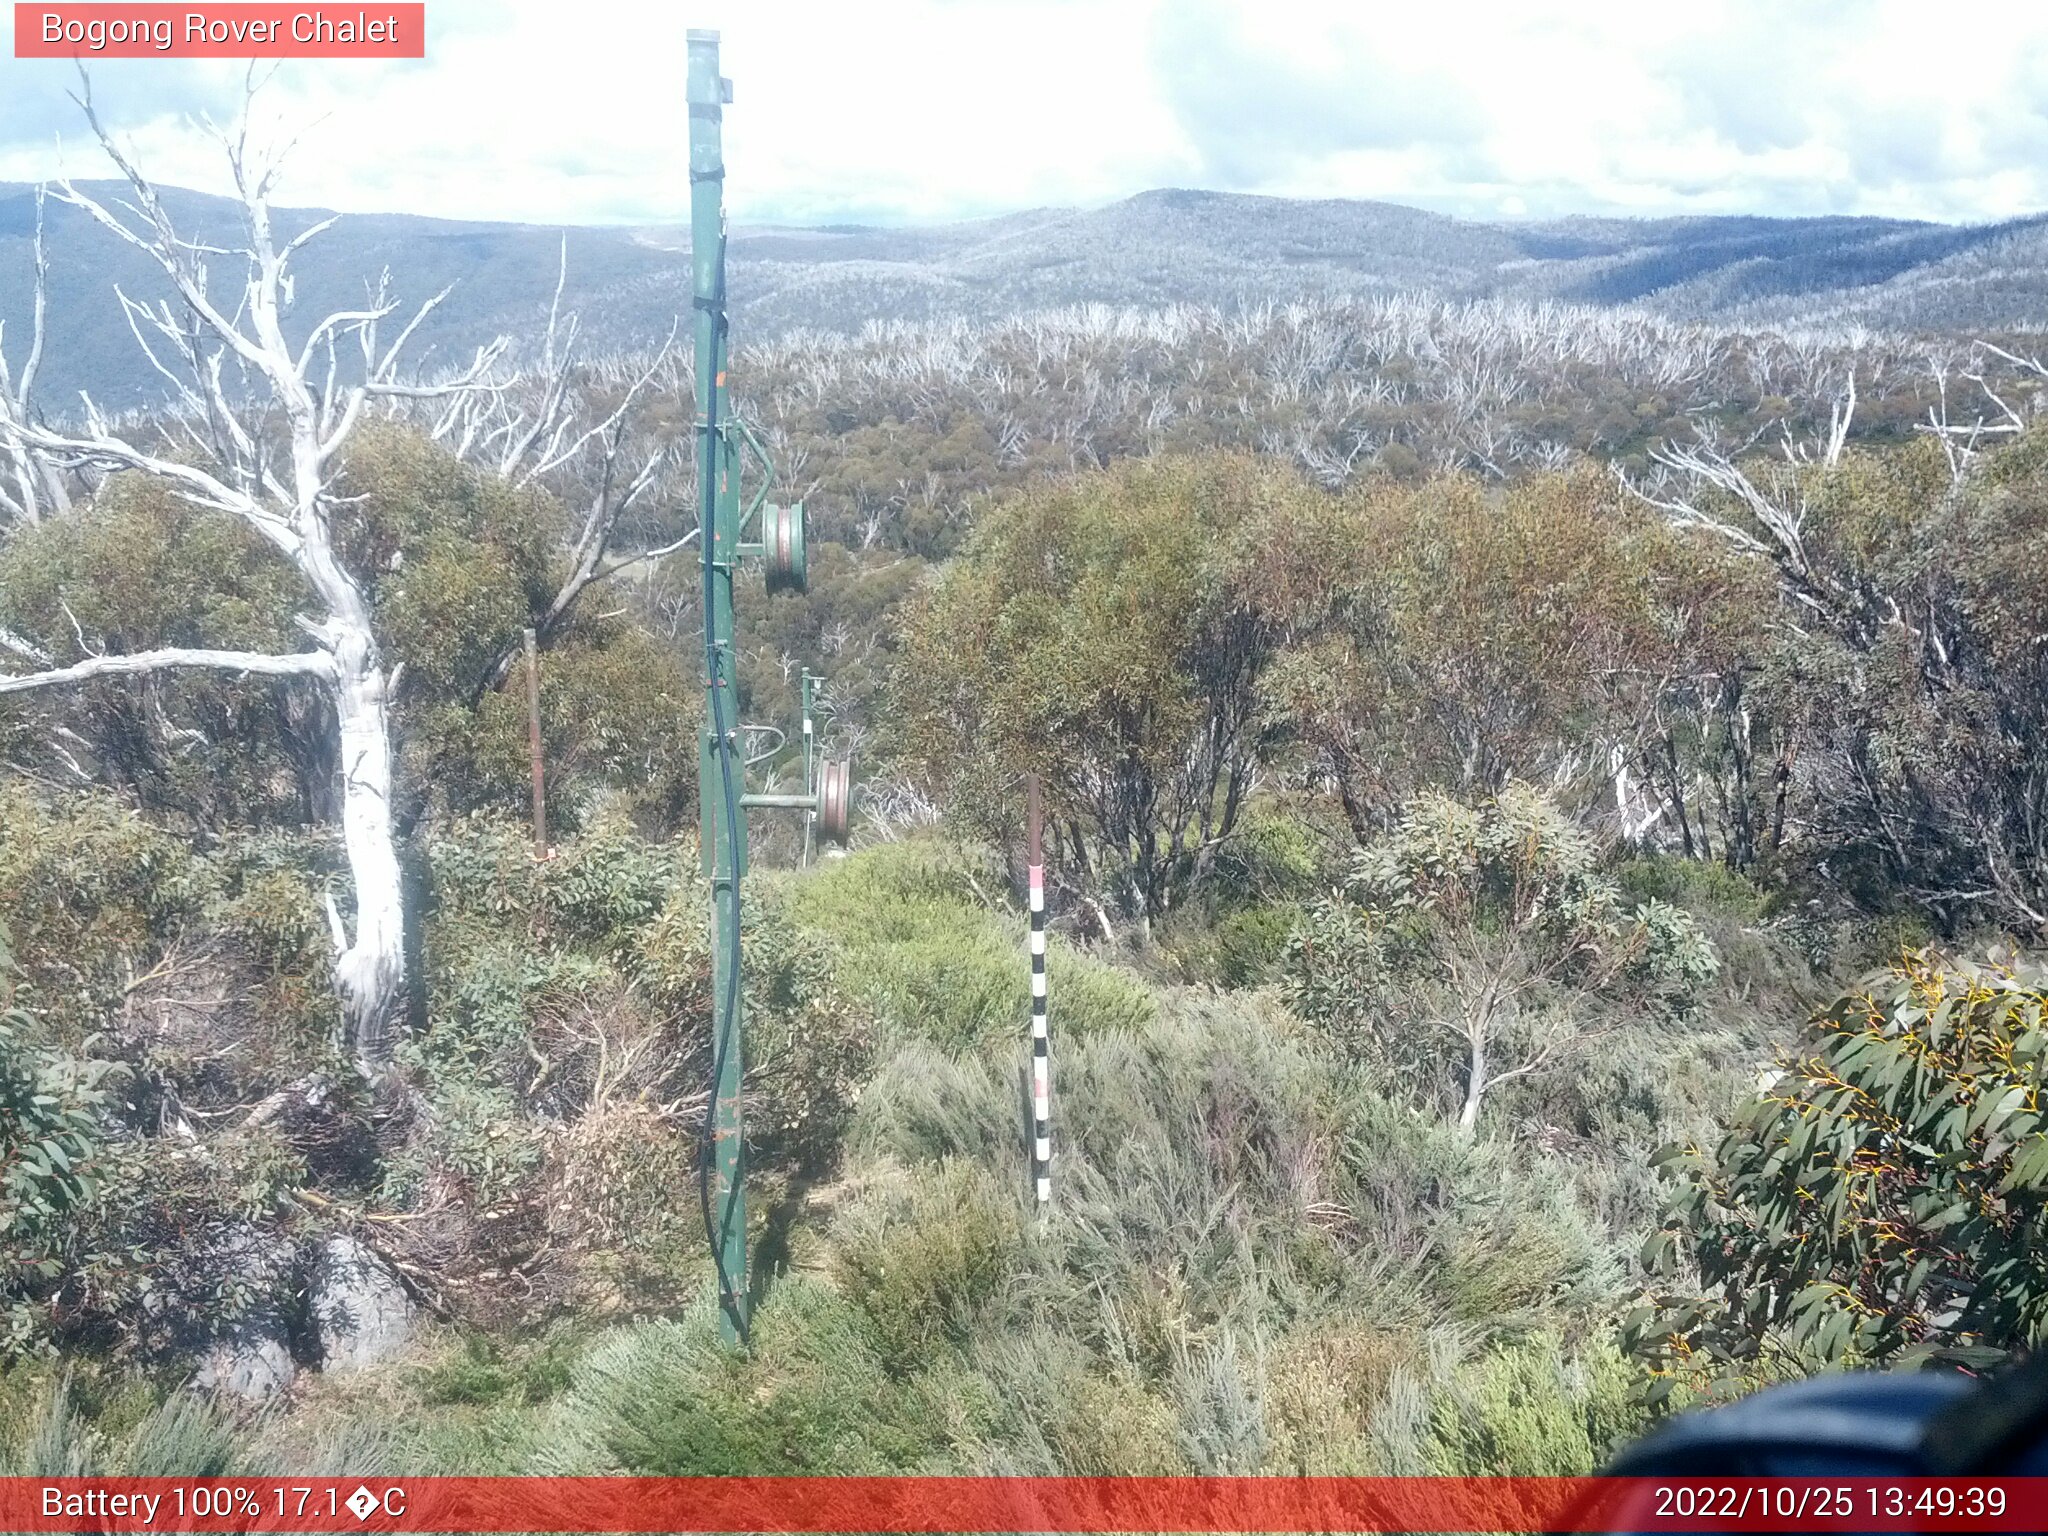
(265, 452)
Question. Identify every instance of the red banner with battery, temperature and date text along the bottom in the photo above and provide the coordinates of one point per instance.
(1021, 1504)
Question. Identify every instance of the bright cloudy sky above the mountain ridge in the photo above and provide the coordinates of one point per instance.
(943, 110)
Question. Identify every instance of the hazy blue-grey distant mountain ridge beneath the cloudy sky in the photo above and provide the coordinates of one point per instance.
(1154, 249)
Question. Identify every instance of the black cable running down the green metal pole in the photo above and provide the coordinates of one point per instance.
(724, 1009)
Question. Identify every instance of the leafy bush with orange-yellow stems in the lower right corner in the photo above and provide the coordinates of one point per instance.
(1883, 1201)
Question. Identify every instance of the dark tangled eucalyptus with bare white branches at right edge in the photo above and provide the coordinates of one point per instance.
(1906, 679)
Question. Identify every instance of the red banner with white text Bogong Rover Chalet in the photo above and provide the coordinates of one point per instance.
(220, 32)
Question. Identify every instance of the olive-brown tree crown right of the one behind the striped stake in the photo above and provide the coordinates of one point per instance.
(1486, 634)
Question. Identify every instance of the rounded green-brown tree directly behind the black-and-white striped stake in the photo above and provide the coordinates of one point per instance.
(1113, 636)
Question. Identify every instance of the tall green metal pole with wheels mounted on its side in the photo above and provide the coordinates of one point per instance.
(722, 818)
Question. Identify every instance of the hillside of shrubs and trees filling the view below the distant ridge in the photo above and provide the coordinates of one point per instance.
(1545, 847)
